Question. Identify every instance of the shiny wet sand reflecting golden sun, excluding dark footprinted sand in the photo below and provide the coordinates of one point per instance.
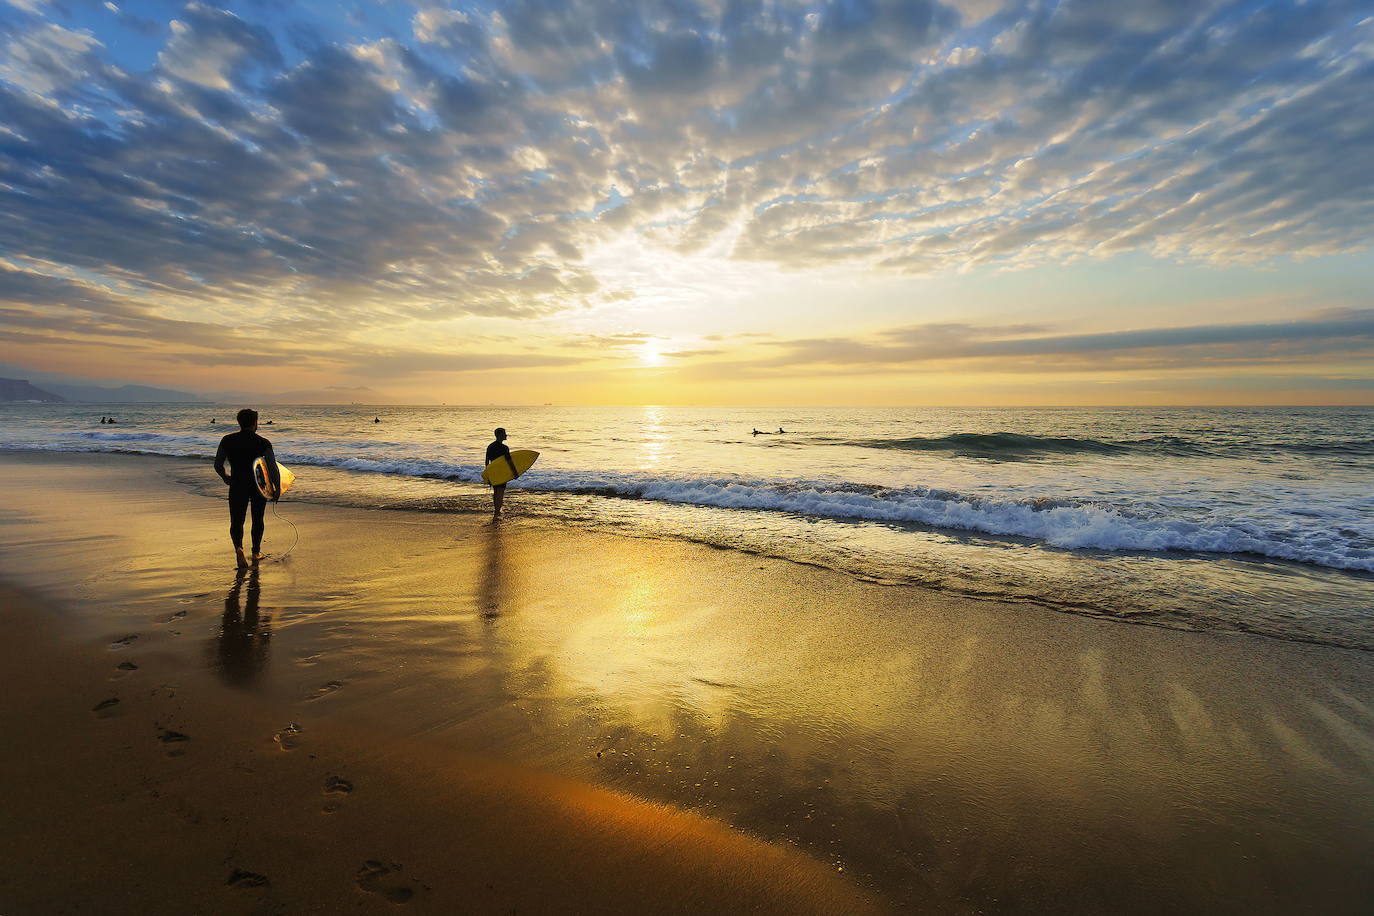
(914, 740)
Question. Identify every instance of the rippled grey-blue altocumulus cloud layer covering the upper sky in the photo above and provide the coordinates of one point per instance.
(462, 161)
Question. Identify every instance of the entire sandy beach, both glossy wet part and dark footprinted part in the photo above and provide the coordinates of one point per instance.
(428, 711)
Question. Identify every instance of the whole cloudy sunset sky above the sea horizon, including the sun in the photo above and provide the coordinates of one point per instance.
(973, 203)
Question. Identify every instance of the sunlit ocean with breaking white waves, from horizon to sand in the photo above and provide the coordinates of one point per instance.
(1233, 520)
